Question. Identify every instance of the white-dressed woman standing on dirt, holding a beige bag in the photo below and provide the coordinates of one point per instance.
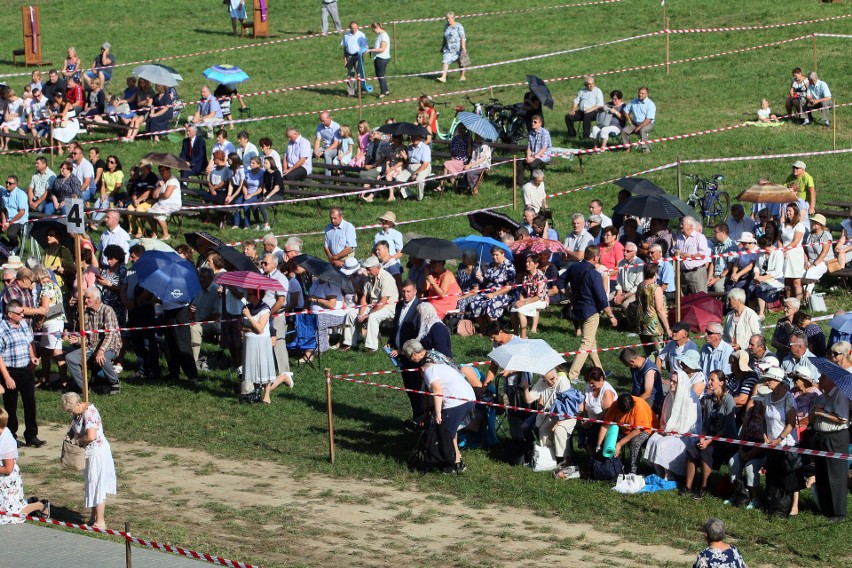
(99, 472)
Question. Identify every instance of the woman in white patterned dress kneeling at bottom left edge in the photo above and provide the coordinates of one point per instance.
(12, 498)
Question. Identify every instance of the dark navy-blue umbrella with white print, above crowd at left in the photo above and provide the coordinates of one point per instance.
(168, 276)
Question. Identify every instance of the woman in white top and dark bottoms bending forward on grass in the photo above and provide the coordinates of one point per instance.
(453, 397)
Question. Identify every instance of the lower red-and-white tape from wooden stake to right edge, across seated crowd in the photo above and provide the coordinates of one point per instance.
(816, 453)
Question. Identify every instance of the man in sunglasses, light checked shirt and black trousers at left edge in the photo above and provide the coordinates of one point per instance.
(17, 359)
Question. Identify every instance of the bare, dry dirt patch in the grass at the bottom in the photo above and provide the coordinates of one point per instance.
(258, 512)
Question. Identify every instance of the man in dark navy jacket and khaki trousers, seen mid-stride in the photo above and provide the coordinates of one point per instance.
(588, 299)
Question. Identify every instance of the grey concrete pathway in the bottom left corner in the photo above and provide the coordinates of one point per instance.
(34, 546)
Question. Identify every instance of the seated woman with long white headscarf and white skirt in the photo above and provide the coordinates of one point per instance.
(681, 414)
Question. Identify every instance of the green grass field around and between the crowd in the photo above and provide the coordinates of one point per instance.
(692, 97)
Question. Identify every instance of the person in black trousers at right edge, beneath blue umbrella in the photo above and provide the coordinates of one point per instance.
(829, 418)
